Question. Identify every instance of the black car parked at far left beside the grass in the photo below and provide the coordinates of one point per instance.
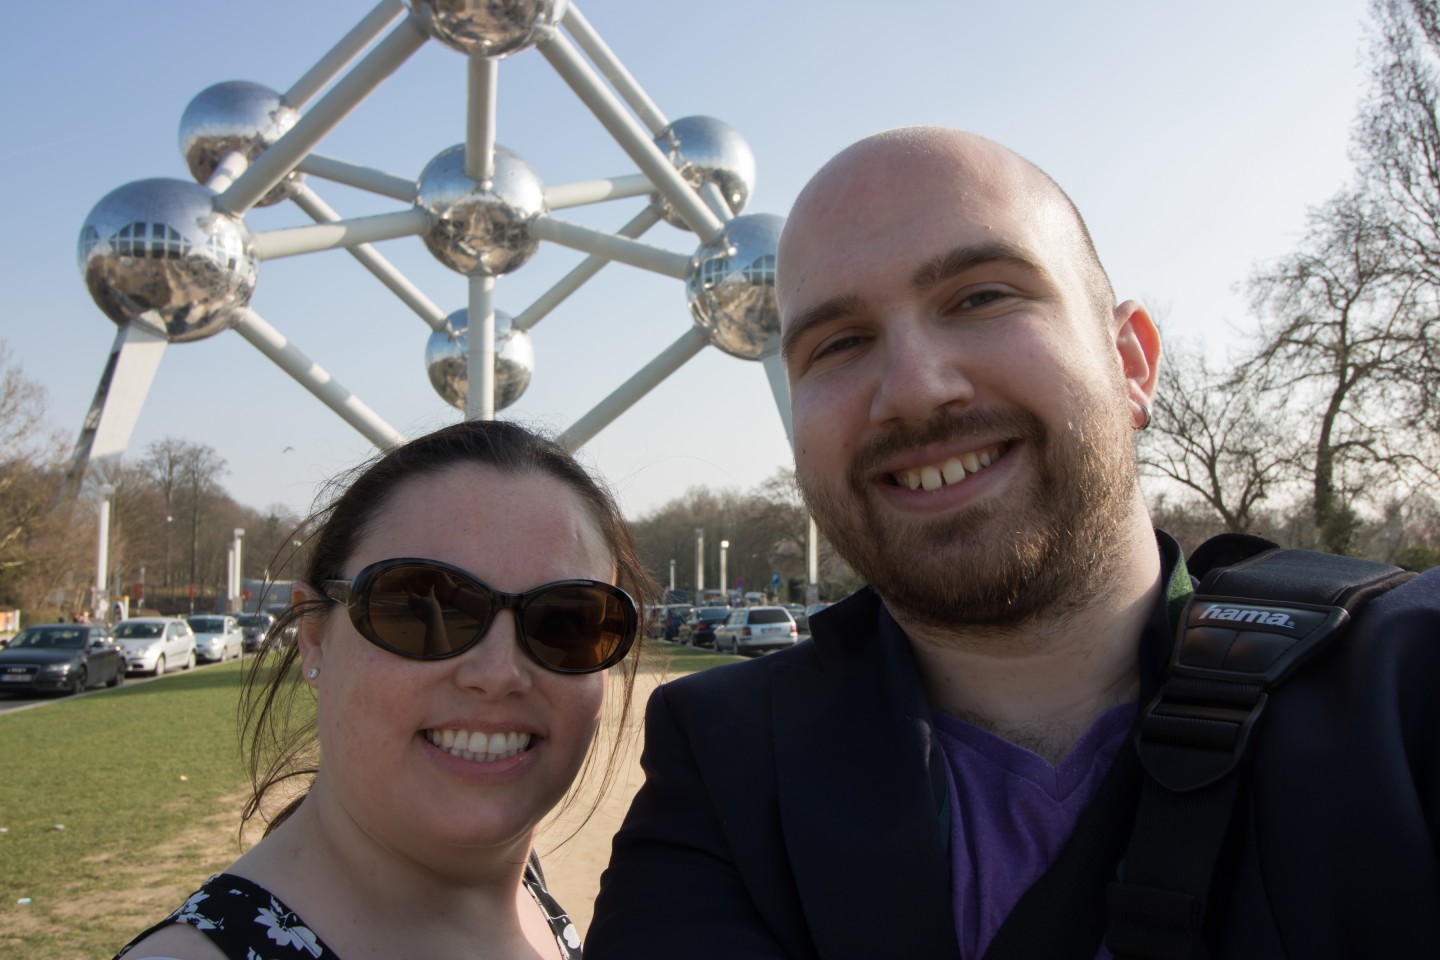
(66, 658)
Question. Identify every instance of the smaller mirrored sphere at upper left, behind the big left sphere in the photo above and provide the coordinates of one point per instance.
(238, 117)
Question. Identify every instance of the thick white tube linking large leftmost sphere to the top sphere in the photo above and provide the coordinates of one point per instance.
(282, 158)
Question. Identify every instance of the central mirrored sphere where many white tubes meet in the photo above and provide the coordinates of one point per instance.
(476, 228)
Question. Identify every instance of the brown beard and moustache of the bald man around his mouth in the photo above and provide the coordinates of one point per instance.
(1040, 553)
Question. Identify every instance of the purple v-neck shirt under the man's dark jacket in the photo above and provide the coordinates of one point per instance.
(1012, 814)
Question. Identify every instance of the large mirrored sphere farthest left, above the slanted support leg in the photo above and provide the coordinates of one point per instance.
(159, 253)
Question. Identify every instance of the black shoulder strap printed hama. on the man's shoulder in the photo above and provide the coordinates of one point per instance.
(1249, 627)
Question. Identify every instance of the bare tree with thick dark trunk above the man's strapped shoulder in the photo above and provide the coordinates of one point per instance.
(1343, 326)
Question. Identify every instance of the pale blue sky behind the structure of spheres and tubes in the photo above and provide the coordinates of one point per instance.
(1193, 137)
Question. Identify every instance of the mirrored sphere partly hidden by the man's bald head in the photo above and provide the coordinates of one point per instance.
(731, 286)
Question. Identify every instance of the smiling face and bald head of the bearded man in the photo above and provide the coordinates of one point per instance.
(963, 434)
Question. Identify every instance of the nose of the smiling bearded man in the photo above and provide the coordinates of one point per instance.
(922, 372)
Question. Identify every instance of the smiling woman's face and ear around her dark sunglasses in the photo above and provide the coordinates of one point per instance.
(474, 751)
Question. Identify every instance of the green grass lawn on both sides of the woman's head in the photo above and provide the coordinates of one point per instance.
(133, 775)
